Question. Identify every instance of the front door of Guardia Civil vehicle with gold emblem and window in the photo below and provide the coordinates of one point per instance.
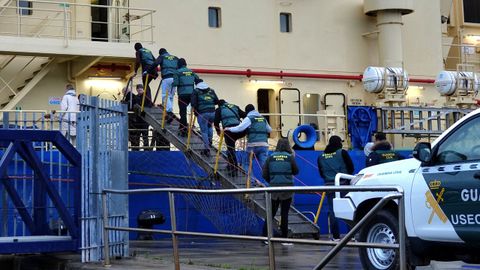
(446, 192)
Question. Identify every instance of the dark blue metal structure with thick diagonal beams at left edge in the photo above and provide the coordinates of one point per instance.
(39, 191)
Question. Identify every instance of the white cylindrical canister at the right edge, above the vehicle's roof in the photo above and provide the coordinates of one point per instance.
(446, 82)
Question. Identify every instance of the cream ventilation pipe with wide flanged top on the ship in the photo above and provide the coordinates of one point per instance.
(389, 23)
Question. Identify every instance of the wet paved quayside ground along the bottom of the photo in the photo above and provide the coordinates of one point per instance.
(206, 254)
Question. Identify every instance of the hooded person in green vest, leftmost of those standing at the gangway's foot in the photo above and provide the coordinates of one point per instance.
(279, 169)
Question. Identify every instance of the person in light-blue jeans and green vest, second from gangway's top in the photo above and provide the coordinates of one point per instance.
(168, 67)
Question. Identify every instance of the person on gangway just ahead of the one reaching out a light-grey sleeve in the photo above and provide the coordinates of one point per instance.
(229, 115)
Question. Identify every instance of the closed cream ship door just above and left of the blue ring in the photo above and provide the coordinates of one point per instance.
(289, 104)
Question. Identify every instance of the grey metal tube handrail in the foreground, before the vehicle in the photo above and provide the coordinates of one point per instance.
(396, 193)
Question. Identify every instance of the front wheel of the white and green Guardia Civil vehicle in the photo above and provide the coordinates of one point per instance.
(383, 228)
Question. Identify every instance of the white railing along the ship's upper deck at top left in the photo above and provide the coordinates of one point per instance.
(73, 21)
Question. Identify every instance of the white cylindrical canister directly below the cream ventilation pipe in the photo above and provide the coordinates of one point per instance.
(374, 78)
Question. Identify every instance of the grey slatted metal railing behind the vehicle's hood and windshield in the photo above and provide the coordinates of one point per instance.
(417, 121)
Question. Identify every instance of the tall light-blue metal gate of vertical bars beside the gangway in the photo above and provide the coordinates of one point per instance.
(102, 133)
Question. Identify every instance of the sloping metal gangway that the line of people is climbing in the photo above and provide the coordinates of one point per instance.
(299, 225)
